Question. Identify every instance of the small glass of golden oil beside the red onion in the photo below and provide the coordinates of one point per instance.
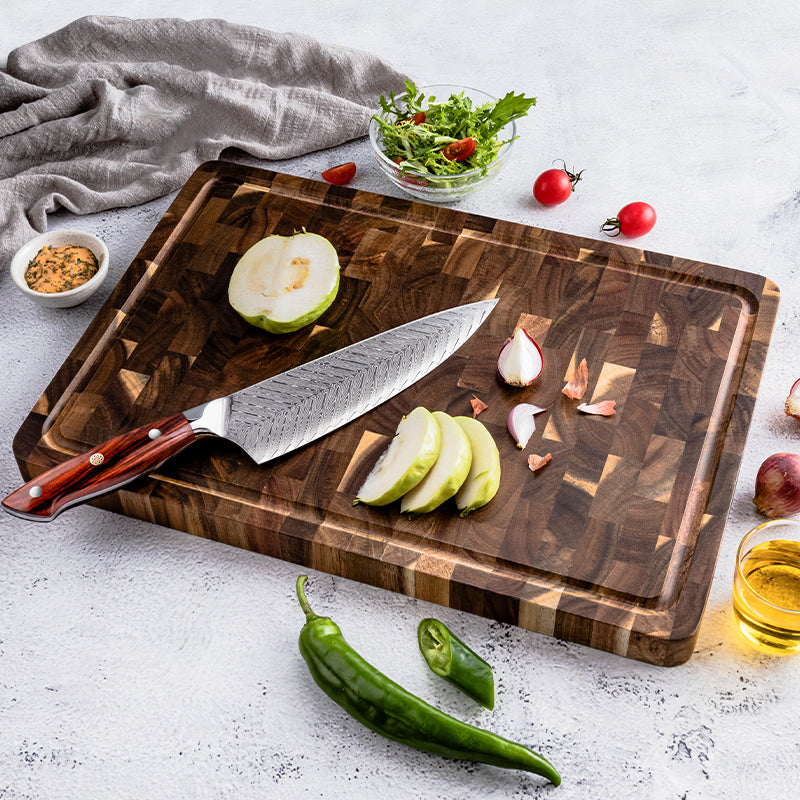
(766, 586)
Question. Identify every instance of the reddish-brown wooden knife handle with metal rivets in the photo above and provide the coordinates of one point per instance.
(101, 469)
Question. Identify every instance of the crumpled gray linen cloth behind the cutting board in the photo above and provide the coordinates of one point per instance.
(110, 112)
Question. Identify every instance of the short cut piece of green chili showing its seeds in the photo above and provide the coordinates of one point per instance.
(452, 660)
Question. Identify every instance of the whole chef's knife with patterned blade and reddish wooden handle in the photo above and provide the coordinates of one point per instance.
(267, 419)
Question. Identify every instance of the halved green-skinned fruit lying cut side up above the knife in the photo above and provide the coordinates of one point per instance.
(285, 282)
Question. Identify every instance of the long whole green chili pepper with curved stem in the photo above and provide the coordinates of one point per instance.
(386, 708)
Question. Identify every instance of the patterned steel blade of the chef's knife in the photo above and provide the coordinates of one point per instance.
(300, 405)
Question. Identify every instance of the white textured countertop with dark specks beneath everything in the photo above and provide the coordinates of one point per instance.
(141, 662)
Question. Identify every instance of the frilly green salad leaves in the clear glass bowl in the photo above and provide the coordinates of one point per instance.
(418, 146)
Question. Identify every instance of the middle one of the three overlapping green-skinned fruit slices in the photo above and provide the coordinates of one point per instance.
(448, 473)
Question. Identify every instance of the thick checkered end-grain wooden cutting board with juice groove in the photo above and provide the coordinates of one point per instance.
(612, 545)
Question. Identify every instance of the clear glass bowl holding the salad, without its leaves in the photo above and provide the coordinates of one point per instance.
(443, 188)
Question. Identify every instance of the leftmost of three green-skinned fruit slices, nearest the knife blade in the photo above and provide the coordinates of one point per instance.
(406, 460)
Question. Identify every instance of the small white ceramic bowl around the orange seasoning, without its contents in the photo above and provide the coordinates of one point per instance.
(59, 238)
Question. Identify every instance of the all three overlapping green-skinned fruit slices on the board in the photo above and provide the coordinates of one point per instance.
(432, 458)
